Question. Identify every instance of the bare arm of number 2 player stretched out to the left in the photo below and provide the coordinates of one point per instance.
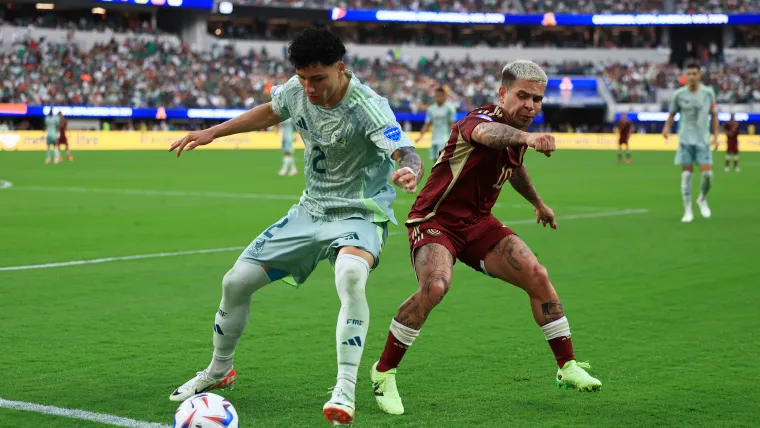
(260, 117)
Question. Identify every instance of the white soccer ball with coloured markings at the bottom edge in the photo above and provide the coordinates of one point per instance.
(206, 411)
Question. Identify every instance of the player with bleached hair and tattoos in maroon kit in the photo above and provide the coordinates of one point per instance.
(451, 219)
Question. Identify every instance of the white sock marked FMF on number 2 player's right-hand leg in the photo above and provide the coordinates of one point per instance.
(351, 274)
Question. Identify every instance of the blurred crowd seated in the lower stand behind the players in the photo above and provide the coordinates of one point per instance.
(150, 74)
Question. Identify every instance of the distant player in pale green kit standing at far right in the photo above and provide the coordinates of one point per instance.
(696, 103)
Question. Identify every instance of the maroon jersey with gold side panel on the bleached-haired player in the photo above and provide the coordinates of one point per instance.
(467, 178)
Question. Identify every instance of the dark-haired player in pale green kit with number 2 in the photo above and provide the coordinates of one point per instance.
(351, 139)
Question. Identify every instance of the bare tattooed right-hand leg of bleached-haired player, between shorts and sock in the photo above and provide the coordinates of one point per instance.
(512, 261)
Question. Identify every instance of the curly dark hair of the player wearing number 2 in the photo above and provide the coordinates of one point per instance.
(315, 46)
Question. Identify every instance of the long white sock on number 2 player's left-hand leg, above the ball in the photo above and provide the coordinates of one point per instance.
(238, 286)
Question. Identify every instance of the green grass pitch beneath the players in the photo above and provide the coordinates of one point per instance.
(667, 313)
